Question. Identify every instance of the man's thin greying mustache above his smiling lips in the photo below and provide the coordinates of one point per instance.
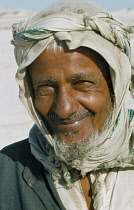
(76, 116)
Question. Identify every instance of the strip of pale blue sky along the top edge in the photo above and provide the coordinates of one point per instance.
(36, 5)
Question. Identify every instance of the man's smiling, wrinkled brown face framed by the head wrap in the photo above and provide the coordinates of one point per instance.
(71, 92)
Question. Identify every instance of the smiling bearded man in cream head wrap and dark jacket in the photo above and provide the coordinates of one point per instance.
(75, 80)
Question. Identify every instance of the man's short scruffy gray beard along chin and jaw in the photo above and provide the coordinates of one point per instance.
(70, 153)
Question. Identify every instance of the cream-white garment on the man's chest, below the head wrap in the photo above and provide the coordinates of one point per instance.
(112, 190)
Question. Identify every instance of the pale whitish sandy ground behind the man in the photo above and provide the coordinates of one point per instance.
(15, 122)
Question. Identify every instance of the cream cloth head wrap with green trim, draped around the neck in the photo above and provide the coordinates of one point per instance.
(80, 23)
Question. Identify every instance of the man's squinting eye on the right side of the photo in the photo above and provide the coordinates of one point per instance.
(83, 85)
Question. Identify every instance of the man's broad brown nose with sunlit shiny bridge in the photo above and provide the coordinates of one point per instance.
(65, 103)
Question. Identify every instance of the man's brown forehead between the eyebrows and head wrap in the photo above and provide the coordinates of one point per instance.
(81, 63)
